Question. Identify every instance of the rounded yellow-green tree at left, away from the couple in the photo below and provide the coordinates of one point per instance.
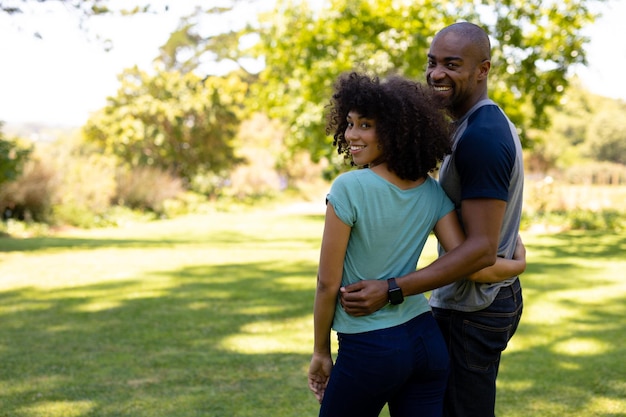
(177, 122)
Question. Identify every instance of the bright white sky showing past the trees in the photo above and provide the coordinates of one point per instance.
(64, 76)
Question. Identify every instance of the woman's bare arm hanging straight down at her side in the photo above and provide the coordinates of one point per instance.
(332, 254)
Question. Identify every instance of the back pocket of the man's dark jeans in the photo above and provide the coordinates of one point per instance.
(484, 344)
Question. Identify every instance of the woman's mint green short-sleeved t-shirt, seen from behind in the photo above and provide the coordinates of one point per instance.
(389, 229)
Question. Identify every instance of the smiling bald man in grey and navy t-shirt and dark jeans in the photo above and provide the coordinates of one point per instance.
(484, 178)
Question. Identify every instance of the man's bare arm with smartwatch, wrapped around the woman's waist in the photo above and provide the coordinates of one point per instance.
(482, 218)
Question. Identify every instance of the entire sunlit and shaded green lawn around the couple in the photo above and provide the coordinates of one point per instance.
(212, 316)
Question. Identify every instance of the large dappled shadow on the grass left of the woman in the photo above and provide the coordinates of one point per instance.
(162, 355)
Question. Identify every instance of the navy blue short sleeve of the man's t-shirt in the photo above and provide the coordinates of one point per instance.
(485, 156)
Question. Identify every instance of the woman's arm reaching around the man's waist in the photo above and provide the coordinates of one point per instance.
(450, 235)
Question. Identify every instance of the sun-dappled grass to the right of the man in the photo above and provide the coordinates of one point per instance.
(573, 329)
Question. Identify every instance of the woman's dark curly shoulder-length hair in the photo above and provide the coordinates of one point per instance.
(413, 132)
